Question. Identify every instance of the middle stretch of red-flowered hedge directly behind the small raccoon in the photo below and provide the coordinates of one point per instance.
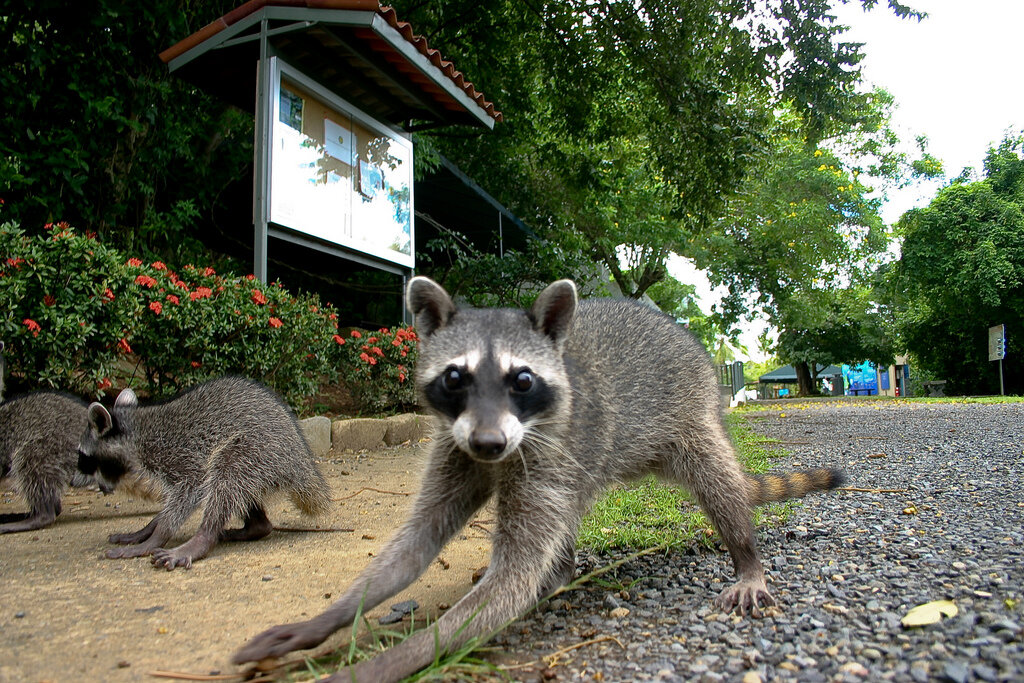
(202, 325)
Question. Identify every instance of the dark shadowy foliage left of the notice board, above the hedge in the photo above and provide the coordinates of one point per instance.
(96, 132)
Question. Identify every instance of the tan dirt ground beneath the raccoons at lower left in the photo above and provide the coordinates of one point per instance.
(69, 615)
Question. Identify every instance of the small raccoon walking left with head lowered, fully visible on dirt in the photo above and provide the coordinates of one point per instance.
(225, 445)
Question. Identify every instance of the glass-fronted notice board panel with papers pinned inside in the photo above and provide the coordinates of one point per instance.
(338, 176)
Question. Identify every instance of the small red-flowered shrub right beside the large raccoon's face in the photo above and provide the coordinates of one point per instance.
(378, 366)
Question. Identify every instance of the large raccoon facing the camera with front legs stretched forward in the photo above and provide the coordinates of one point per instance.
(543, 410)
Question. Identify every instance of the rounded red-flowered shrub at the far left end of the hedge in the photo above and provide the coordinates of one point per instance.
(66, 313)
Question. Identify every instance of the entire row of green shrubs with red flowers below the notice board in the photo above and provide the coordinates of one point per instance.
(75, 312)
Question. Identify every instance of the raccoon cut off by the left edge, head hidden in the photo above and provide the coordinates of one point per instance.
(38, 442)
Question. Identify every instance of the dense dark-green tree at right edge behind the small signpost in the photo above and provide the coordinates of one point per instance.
(962, 271)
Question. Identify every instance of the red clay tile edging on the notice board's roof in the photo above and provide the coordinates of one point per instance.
(388, 14)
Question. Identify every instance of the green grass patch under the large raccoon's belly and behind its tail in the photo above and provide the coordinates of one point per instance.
(650, 514)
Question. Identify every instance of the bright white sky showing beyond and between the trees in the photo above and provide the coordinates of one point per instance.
(958, 78)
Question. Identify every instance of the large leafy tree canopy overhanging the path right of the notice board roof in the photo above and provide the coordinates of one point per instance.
(629, 125)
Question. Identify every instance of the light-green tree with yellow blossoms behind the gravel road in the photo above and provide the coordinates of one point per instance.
(801, 238)
